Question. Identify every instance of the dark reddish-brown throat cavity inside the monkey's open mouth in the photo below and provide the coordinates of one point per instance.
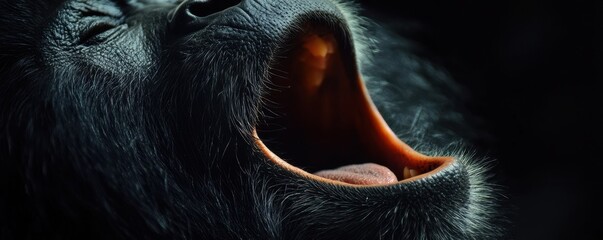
(317, 124)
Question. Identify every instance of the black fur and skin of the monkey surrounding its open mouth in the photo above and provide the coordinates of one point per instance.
(147, 135)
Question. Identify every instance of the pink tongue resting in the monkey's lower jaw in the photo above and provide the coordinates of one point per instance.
(361, 174)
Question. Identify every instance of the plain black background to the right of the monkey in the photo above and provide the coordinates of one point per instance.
(532, 69)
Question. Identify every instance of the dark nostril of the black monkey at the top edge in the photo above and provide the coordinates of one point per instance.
(191, 14)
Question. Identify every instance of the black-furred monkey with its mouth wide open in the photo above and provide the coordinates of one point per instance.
(227, 119)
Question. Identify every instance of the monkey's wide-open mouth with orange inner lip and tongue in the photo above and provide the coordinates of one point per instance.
(320, 121)
